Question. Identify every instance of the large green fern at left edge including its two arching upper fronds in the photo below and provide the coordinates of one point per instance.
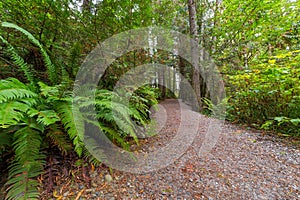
(35, 111)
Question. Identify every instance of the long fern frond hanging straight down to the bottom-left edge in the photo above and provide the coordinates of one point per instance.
(27, 165)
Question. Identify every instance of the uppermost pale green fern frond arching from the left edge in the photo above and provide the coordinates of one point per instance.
(50, 66)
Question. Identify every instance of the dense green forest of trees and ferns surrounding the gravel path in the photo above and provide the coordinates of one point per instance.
(254, 45)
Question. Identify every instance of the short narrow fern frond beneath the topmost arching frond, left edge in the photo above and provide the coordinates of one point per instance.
(19, 61)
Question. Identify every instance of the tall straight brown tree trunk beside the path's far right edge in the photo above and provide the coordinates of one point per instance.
(197, 105)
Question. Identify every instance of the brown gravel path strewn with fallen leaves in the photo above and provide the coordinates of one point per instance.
(243, 164)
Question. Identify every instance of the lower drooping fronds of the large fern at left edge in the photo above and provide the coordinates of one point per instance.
(36, 114)
